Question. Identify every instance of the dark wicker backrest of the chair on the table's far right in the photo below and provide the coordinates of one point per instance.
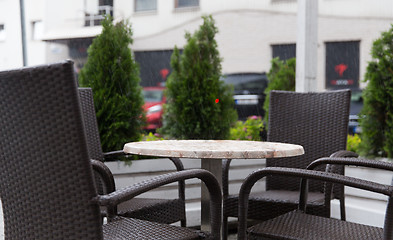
(317, 121)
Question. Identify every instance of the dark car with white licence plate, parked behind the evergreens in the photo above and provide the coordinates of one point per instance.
(248, 93)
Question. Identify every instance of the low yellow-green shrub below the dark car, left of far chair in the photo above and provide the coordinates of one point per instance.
(249, 130)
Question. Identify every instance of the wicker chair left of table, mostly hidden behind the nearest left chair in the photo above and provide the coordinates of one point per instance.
(156, 210)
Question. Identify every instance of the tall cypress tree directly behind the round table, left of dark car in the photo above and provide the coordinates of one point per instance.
(200, 105)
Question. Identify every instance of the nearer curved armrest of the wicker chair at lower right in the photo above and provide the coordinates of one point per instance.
(306, 174)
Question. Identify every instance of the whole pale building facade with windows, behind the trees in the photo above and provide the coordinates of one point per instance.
(251, 33)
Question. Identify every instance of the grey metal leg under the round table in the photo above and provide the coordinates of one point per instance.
(215, 167)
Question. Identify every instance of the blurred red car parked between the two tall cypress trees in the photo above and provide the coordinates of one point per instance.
(154, 100)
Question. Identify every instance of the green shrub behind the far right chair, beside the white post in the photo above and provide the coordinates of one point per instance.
(281, 76)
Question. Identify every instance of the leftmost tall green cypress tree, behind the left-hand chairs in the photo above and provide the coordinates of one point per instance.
(113, 76)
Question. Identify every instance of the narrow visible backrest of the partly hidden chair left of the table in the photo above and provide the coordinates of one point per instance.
(91, 126)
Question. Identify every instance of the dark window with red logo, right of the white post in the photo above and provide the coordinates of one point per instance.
(342, 65)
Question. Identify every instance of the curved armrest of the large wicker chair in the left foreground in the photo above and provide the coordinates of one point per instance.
(127, 193)
